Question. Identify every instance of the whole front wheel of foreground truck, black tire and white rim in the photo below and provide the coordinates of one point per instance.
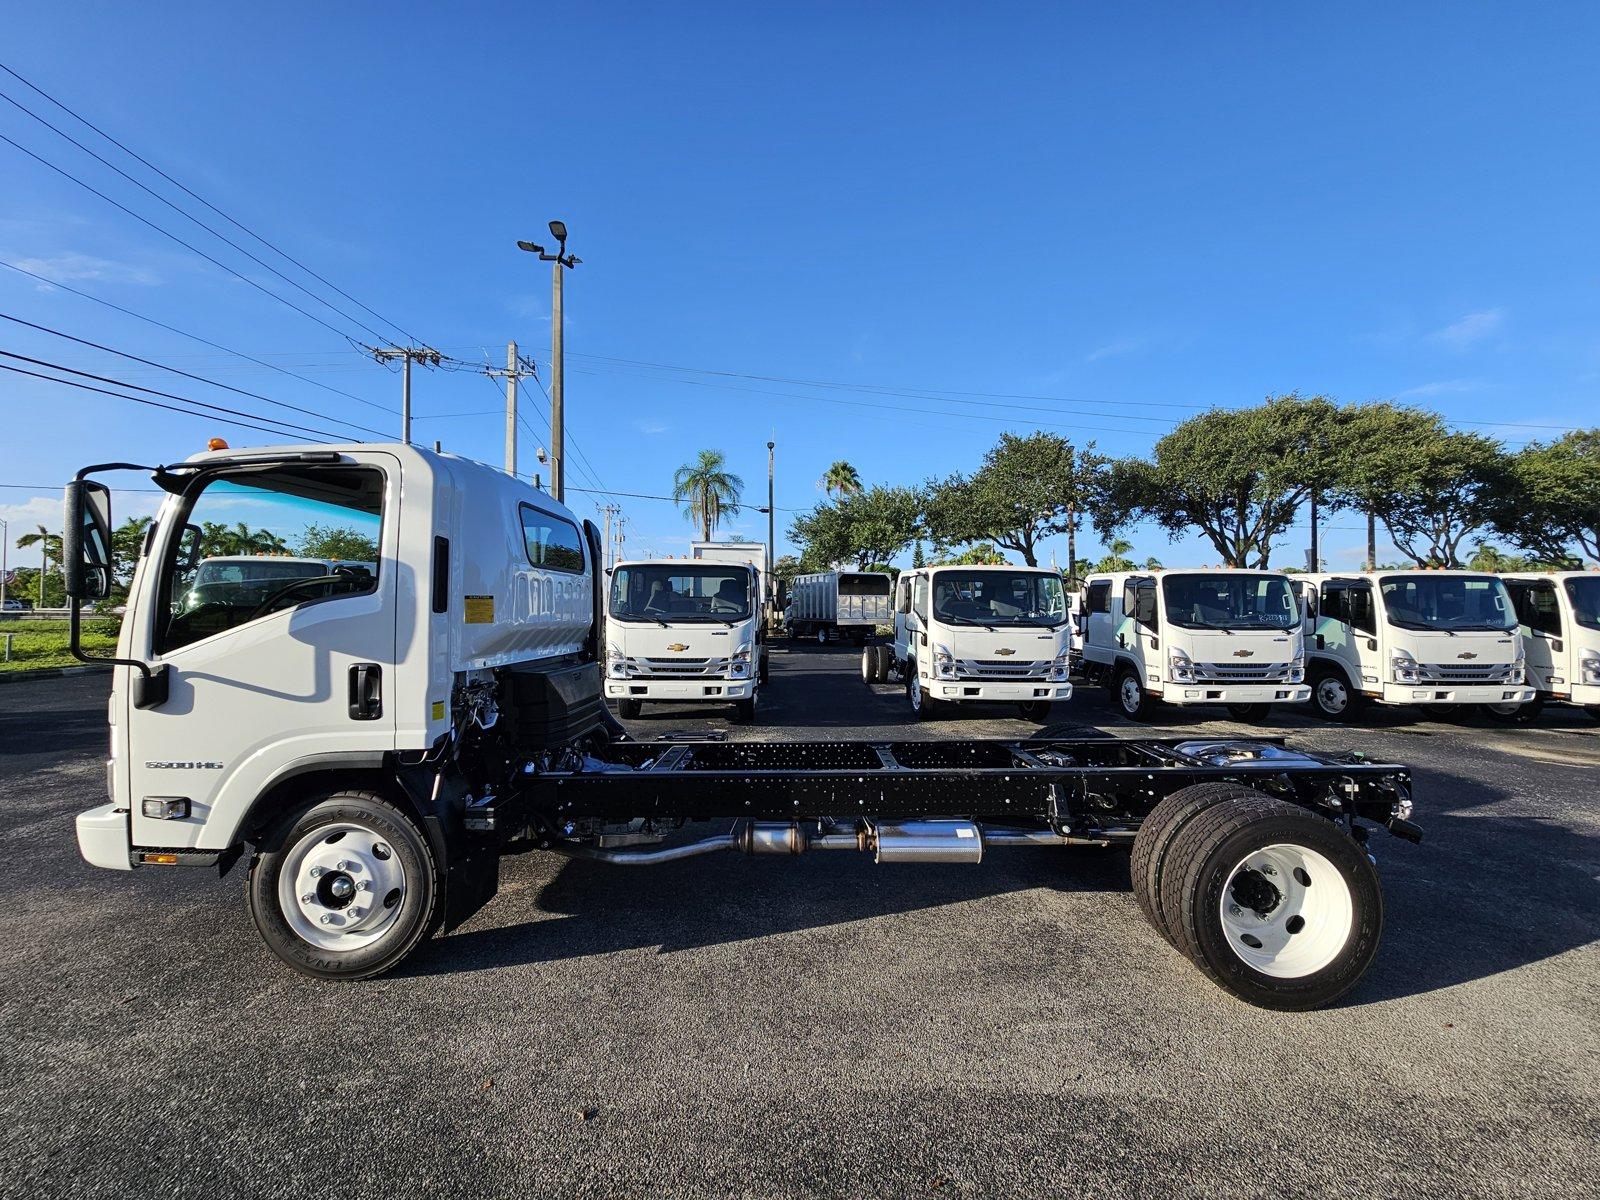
(345, 887)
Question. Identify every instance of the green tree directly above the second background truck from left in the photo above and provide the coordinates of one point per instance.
(1026, 490)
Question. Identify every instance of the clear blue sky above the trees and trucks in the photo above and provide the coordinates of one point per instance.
(1130, 214)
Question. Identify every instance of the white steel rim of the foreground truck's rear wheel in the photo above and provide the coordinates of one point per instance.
(1287, 911)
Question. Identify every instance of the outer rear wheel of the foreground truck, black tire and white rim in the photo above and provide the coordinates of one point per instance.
(1274, 903)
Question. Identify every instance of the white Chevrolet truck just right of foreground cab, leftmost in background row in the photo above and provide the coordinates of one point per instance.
(682, 631)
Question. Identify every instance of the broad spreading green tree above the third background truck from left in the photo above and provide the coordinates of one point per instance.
(1238, 476)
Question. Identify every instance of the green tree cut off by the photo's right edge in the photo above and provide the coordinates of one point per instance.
(1548, 500)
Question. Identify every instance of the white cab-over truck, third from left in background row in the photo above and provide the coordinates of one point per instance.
(1194, 638)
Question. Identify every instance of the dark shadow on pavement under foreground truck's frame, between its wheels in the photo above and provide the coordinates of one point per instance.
(730, 898)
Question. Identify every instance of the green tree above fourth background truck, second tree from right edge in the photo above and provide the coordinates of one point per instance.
(1430, 486)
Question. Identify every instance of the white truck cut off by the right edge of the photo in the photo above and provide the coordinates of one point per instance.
(1559, 620)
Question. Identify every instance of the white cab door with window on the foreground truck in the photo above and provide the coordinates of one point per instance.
(273, 610)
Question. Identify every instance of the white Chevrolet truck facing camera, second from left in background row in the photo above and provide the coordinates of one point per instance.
(983, 634)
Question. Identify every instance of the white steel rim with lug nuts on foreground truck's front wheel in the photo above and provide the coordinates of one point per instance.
(342, 887)
